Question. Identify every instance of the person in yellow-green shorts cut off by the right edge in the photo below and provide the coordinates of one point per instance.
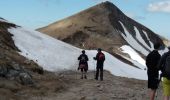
(165, 69)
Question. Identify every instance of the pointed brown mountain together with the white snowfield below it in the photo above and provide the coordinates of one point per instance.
(125, 41)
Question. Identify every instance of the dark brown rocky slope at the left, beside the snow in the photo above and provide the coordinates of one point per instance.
(16, 71)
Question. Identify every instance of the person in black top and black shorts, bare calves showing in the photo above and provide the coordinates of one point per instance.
(152, 61)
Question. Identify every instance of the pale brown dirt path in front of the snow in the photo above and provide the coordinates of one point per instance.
(112, 88)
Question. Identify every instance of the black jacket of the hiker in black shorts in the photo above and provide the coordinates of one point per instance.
(152, 61)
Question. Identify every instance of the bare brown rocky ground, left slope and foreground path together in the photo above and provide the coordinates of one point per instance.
(23, 79)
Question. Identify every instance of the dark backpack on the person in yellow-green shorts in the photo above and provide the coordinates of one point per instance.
(167, 66)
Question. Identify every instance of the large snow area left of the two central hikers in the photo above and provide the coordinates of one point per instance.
(50, 53)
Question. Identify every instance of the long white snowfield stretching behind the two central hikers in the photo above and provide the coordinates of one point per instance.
(55, 55)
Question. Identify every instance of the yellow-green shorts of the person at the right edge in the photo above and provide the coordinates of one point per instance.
(166, 86)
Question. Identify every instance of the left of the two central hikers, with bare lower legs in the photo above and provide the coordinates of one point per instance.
(83, 65)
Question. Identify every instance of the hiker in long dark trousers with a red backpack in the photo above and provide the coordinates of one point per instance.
(100, 57)
